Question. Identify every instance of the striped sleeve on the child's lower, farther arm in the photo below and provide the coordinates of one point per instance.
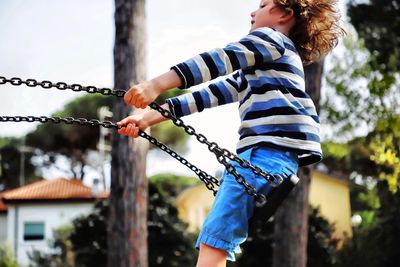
(219, 93)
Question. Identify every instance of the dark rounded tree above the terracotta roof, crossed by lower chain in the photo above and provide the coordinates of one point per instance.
(70, 141)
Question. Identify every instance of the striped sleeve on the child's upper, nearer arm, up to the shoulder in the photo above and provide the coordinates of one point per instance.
(257, 48)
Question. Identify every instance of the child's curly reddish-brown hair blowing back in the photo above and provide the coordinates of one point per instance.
(317, 28)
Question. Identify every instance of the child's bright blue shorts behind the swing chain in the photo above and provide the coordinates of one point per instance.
(226, 226)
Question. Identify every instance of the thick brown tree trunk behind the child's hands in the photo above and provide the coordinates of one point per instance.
(127, 236)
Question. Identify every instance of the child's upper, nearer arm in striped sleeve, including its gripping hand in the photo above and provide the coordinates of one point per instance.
(260, 46)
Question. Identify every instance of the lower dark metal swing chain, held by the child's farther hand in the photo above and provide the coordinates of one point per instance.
(209, 181)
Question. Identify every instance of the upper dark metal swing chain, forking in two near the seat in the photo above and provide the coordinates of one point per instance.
(221, 154)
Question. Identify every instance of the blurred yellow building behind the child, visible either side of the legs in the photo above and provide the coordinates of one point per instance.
(330, 194)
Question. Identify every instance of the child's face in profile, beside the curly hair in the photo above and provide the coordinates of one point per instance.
(267, 15)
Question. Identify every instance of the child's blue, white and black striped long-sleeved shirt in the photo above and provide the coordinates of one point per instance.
(264, 73)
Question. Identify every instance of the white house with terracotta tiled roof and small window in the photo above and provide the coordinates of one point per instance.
(29, 214)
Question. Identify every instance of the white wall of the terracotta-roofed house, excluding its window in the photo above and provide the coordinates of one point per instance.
(53, 216)
